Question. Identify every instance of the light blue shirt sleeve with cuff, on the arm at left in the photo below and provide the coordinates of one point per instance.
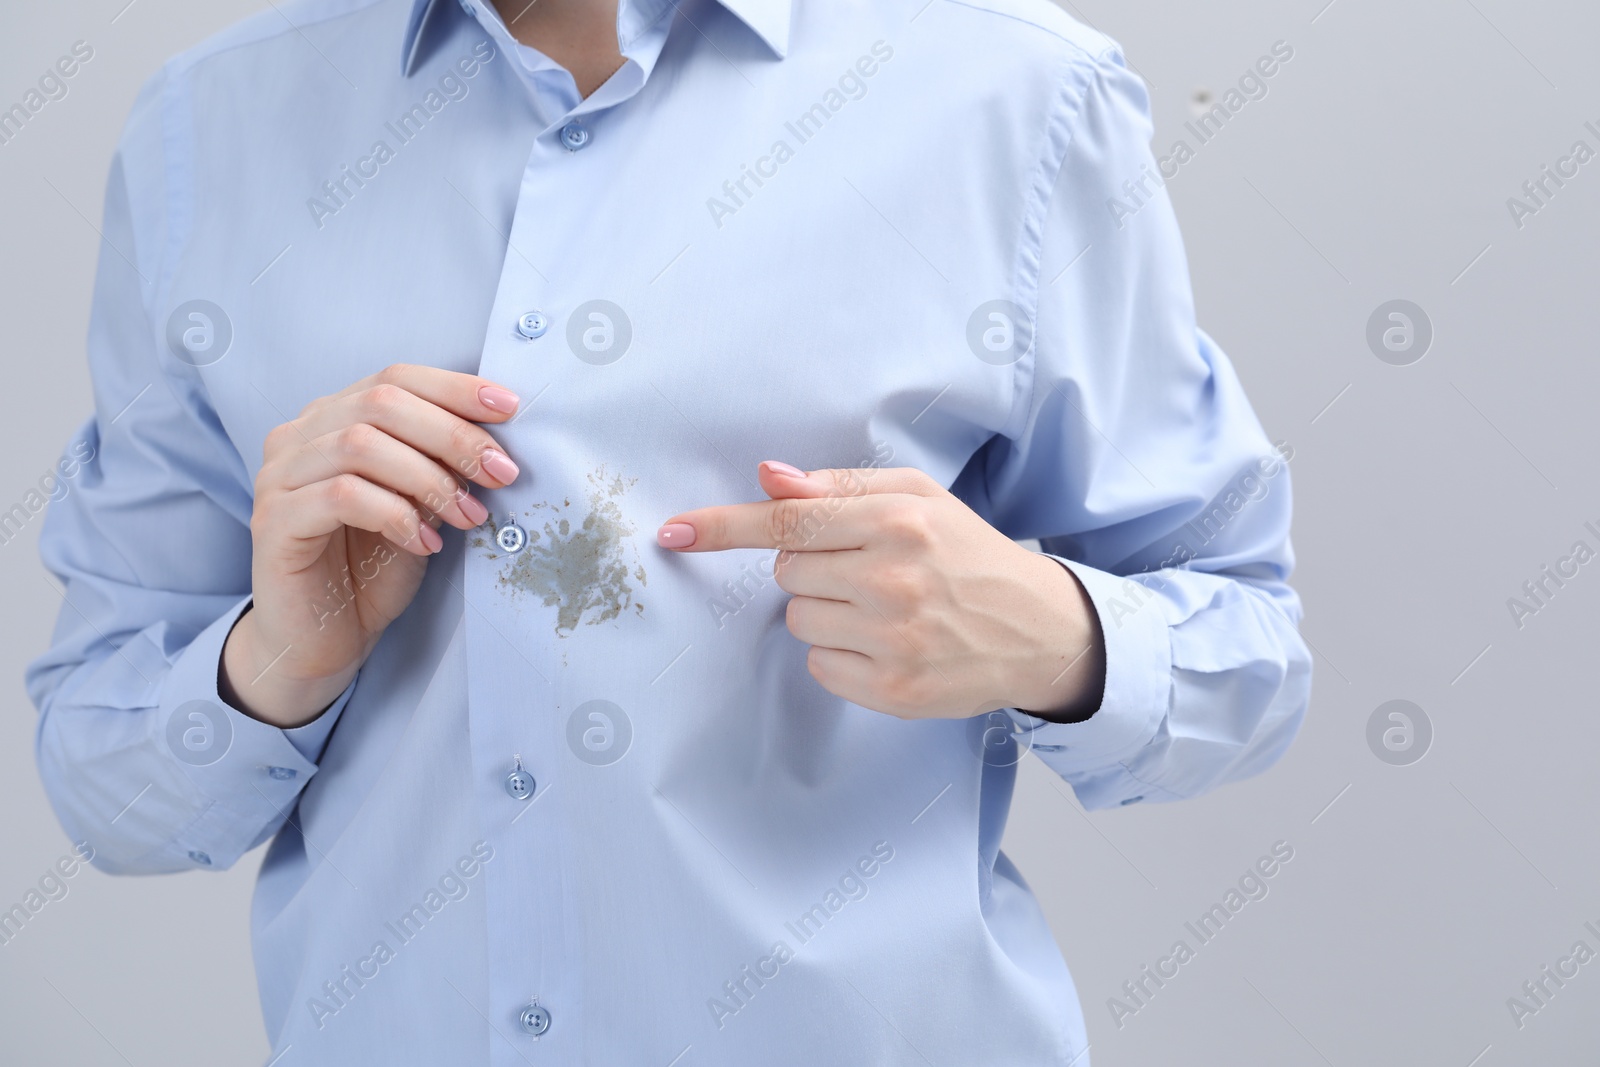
(148, 533)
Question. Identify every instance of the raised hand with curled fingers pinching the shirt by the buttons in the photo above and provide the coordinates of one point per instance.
(348, 510)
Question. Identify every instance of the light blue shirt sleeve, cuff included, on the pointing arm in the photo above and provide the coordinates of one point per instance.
(1137, 462)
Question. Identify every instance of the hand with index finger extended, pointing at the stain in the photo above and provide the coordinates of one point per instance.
(911, 602)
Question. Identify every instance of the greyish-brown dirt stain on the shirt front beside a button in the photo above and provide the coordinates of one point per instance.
(585, 567)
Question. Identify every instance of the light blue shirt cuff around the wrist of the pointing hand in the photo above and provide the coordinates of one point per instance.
(1138, 677)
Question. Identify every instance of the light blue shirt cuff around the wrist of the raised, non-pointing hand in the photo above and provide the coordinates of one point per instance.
(250, 770)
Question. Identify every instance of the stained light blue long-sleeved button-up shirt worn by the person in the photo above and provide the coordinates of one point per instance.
(839, 236)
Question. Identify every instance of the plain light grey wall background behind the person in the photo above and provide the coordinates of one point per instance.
(1420, 898)
